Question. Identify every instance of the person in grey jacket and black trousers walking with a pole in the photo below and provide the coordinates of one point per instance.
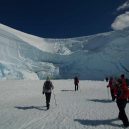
(47, 89)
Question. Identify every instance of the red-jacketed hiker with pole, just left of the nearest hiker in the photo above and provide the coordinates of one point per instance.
(111, 84)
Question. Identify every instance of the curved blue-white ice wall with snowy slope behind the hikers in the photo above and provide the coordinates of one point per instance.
(24, 56)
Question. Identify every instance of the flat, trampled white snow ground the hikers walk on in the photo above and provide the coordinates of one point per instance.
(22, 106)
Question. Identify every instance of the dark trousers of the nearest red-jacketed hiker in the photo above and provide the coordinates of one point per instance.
(121, 106)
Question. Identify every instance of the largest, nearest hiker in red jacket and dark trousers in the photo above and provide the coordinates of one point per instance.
(122, 95)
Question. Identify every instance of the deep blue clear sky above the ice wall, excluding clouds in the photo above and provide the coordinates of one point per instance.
(60, 18)
